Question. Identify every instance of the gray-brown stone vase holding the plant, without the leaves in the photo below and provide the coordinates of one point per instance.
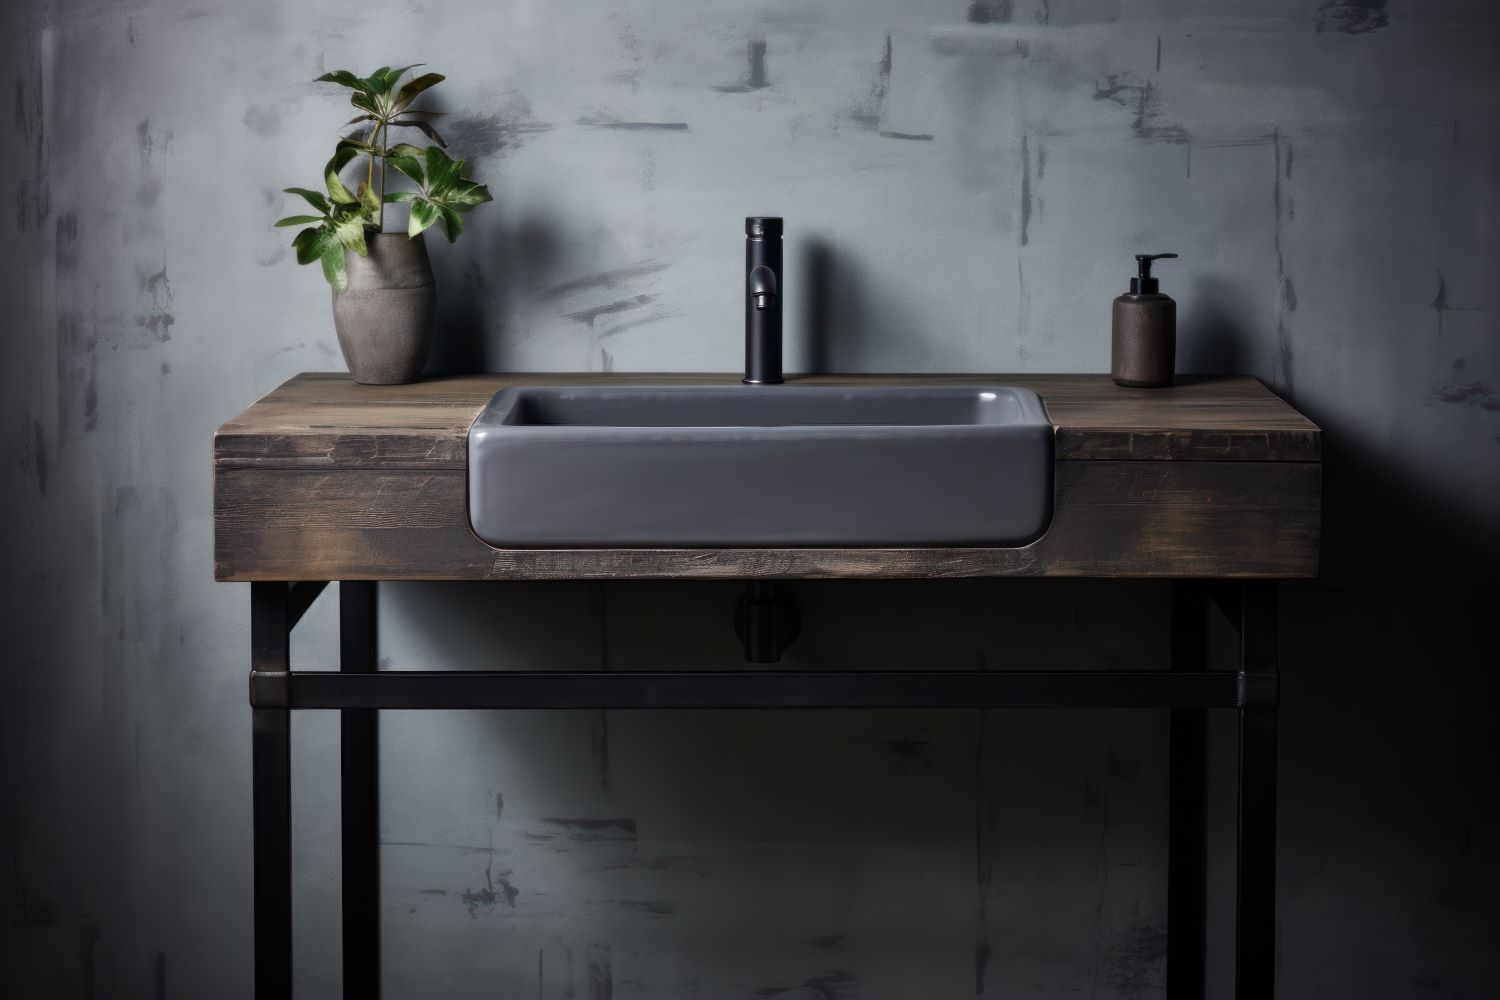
(385, 317)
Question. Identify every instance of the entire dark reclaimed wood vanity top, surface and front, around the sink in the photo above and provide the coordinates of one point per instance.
(325, 481)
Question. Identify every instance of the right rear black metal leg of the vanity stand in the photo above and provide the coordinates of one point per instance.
(1187, 858)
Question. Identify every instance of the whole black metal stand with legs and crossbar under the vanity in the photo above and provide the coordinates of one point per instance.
(358, 690)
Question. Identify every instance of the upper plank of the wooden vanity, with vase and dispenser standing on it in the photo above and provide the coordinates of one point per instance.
(320, 421)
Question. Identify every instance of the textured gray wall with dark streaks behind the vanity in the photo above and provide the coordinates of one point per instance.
(964, 187)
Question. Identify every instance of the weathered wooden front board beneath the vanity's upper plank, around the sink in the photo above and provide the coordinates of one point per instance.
(1115, 519)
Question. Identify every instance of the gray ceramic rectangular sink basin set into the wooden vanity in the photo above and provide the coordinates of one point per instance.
(760, 466)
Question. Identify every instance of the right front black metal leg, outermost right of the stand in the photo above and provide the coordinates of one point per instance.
(1256, 911)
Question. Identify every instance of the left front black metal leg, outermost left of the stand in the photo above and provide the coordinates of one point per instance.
(271, 756)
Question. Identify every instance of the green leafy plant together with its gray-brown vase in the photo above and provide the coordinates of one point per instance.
(385, 299)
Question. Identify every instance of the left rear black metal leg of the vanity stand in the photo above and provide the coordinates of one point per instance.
(361, 806)
